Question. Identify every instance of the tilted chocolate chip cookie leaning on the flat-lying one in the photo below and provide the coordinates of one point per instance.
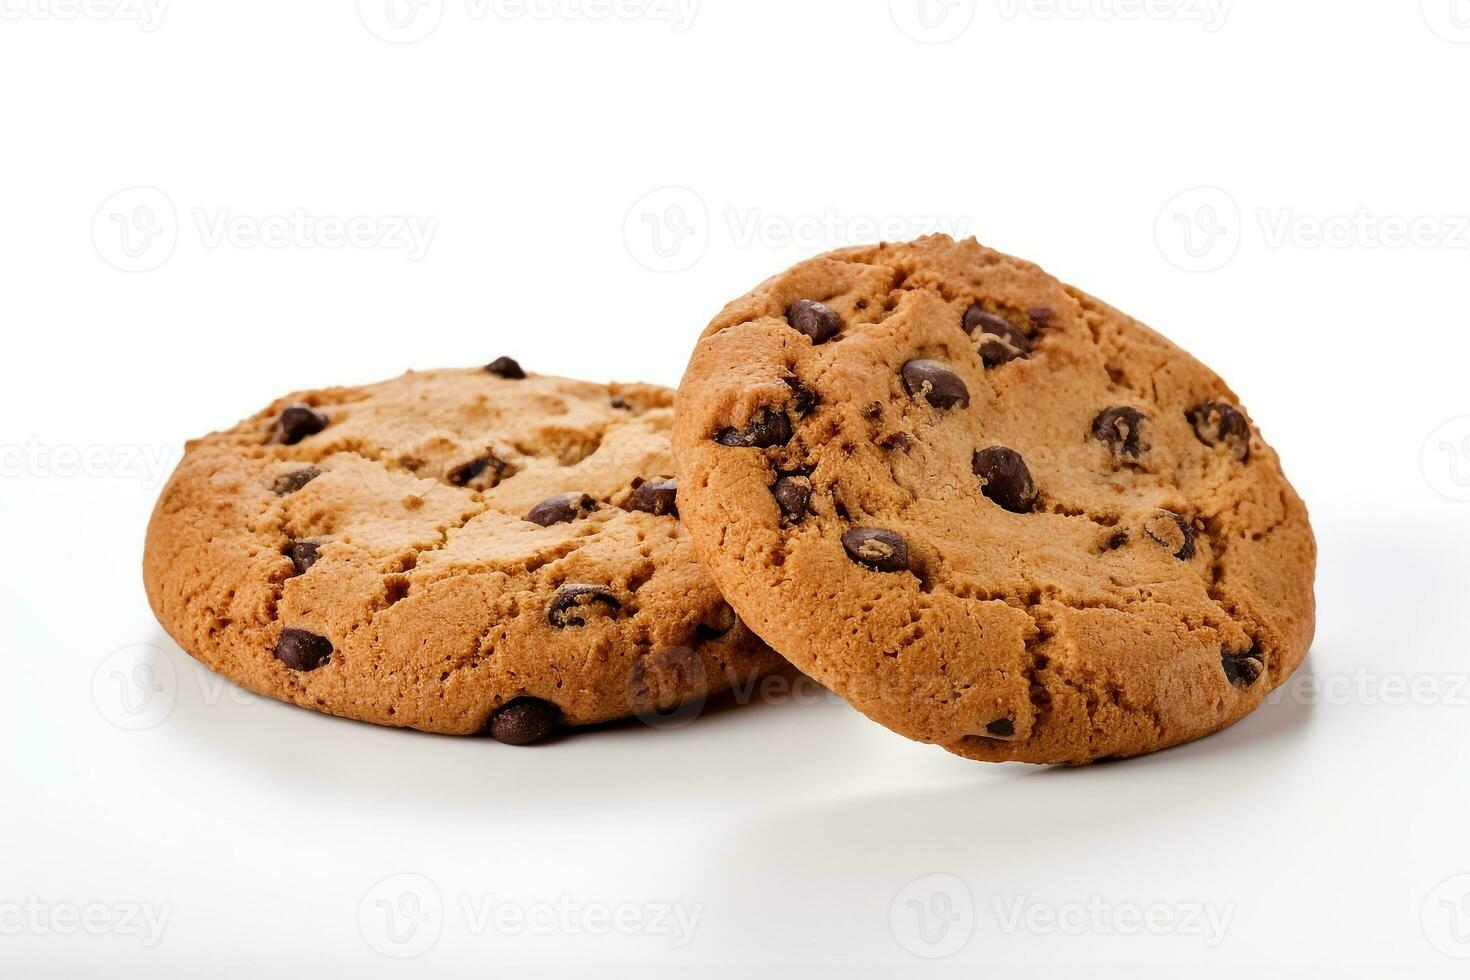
(1009, 519)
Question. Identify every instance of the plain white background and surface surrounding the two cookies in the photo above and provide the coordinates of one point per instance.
(534, 148)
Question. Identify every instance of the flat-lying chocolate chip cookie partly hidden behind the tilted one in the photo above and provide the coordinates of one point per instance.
(462, 552)
